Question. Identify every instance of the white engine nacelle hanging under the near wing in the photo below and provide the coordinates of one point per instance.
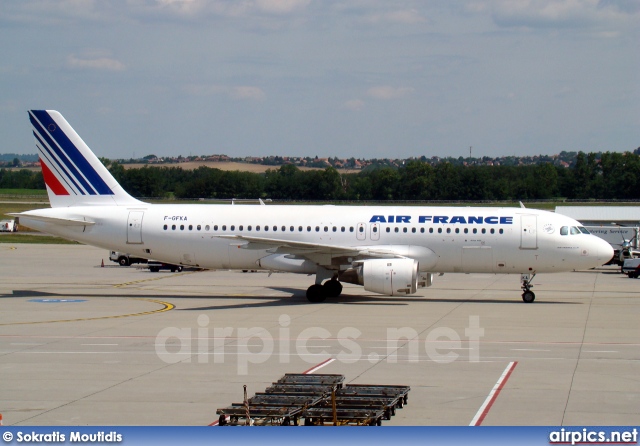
(390, 277)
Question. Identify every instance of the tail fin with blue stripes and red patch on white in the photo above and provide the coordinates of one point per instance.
(73, 174)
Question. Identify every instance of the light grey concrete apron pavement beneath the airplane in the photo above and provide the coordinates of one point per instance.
(86, 345)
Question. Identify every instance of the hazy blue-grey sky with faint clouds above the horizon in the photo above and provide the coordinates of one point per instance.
(345, 78)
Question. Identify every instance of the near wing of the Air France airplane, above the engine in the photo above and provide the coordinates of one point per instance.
(278, 246)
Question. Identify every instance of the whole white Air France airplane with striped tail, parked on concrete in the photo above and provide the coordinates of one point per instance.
(390, 250)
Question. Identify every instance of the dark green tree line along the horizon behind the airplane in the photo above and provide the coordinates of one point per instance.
(609, 175)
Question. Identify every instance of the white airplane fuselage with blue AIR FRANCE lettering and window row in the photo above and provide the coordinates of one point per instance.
(441, 239)
